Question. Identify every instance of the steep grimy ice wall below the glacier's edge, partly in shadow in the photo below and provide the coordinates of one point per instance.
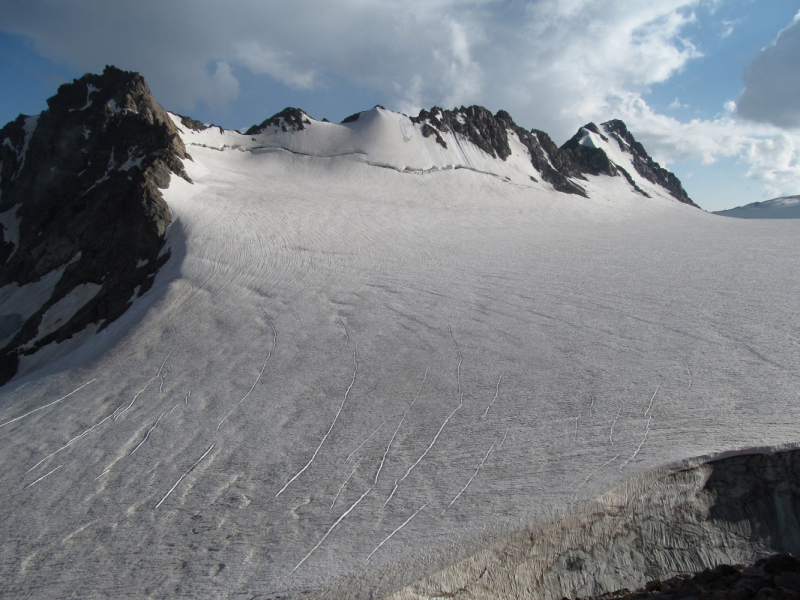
(731, 510)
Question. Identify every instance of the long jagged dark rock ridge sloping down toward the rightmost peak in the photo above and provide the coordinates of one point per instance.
(490, 133)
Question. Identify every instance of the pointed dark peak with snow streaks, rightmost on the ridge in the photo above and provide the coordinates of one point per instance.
(595, 160)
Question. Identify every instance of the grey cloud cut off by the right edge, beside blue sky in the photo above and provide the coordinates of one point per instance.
(772, 81)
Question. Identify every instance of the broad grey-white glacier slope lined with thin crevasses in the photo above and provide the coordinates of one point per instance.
(348, 371)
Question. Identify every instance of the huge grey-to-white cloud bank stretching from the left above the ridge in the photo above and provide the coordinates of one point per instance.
(550, 62)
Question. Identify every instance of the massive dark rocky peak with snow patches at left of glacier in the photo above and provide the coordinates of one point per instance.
(80, 197)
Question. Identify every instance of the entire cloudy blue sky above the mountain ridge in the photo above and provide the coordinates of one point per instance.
(711, 88)
